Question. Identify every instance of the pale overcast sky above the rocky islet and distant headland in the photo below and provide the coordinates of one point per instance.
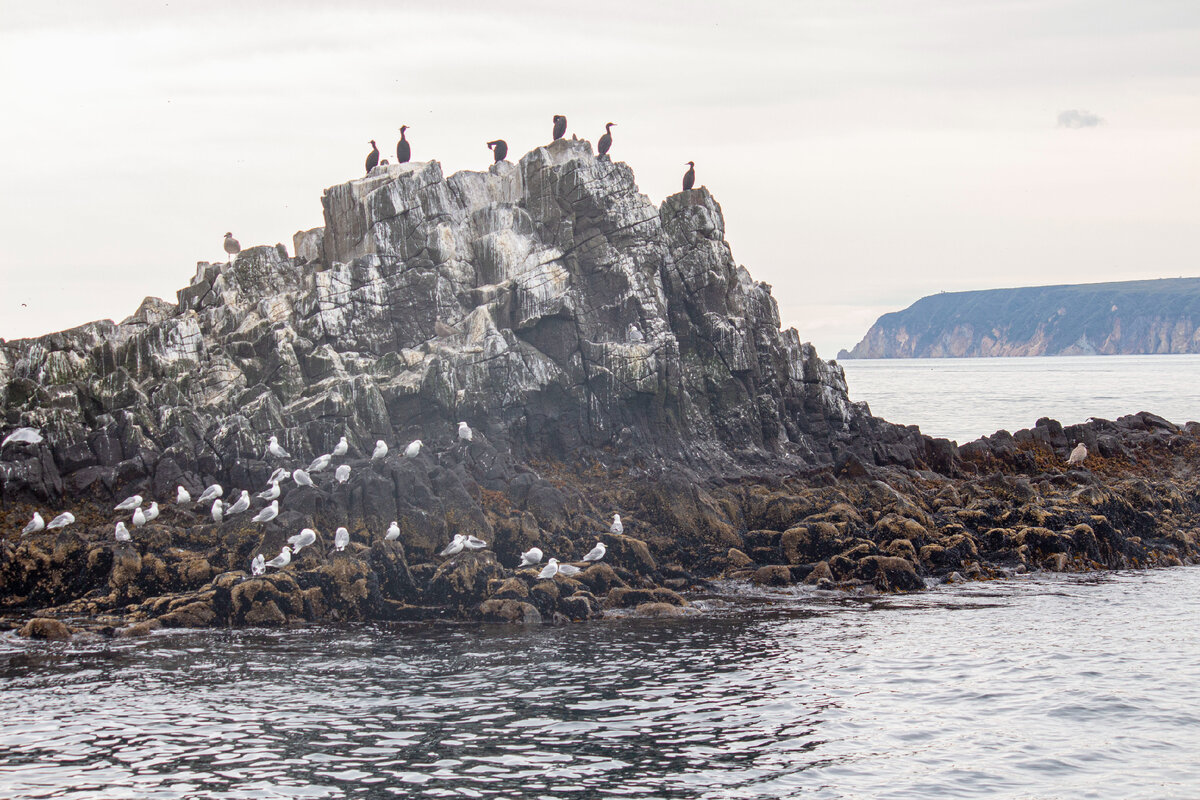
(866, 154)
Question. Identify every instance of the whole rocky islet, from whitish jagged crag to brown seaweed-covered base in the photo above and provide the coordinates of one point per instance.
(609, 356)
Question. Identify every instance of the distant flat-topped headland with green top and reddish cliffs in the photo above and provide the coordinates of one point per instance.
(1130, 317)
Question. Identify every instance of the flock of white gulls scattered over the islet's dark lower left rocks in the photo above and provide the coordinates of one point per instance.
(220, 510)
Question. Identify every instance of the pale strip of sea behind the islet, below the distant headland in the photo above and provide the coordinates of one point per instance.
(967, 399)
